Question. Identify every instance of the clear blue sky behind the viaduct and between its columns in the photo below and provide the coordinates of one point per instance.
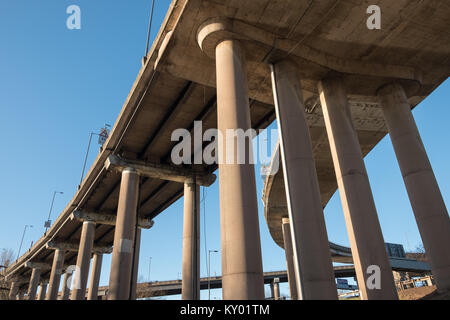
(57, 86)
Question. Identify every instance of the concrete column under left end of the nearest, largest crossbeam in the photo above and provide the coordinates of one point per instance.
(124, 236)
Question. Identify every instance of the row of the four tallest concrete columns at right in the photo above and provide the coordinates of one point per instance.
(311, 260)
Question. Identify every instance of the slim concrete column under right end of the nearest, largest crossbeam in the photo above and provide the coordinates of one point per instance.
(190, 289)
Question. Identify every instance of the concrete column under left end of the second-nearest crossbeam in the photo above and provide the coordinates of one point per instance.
(81, 273)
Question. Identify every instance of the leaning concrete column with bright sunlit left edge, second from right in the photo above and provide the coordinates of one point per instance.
(364, 231)
